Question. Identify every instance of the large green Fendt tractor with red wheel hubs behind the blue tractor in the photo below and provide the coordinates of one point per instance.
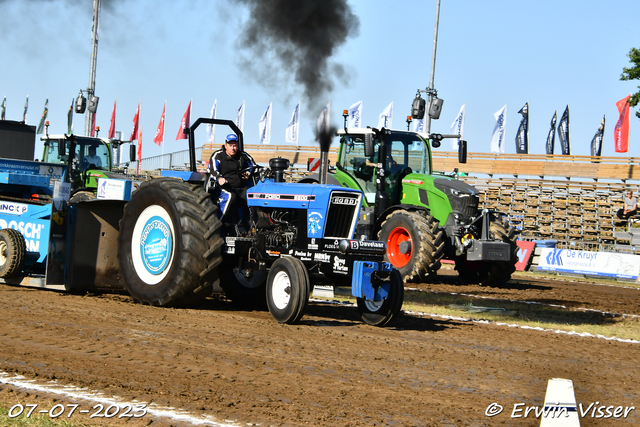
(422, 215)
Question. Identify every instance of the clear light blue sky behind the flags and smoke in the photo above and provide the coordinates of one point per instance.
(490, 53)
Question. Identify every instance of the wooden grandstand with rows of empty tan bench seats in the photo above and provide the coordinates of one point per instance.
(571, 199)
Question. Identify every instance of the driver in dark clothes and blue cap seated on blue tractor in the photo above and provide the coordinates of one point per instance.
(227, 184)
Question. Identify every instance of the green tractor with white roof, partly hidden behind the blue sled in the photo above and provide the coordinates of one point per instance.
(84, 170)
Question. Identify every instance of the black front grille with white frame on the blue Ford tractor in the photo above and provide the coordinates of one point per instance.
(341, 215)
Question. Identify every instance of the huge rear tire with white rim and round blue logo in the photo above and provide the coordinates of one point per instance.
(169, 244)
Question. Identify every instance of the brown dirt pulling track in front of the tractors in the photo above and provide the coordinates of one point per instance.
(331, 370)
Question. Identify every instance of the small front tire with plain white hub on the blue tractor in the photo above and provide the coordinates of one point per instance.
(288, 290)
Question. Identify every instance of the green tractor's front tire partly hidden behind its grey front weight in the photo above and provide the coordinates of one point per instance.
(491, 273)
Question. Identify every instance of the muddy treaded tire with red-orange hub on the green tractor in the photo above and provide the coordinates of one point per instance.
(415, 244)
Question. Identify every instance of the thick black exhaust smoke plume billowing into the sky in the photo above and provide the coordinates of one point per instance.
(301, 36)
